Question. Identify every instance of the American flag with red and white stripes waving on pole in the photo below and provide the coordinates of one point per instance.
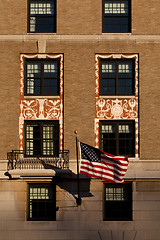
(98, 164)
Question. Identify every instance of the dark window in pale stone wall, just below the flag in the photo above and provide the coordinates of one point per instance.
(117, 202)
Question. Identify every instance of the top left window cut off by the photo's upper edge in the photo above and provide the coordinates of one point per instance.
(42, 16)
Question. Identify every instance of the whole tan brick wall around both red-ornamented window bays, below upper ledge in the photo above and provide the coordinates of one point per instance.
(79, 84)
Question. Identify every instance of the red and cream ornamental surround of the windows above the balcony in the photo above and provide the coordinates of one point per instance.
(40, 108)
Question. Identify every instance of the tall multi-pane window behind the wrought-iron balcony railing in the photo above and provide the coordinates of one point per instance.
(42, 138)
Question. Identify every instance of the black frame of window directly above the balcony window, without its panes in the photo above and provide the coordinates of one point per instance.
(42, 62)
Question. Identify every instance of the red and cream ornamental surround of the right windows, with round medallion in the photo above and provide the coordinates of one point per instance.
(116, 108)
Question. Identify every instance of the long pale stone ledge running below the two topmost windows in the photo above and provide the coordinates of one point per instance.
(141, 38)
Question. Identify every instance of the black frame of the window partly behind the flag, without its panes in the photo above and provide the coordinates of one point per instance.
(116, 123)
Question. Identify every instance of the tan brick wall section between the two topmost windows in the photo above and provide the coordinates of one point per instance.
(79, 17)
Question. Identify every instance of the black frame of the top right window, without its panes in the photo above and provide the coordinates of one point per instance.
(118, 15)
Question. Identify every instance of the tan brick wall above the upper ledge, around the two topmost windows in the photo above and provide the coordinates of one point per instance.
(79, 17)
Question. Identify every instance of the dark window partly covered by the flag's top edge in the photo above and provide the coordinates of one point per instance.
(118, 137)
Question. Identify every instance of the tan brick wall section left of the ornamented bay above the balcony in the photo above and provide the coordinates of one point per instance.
(9, 92)
